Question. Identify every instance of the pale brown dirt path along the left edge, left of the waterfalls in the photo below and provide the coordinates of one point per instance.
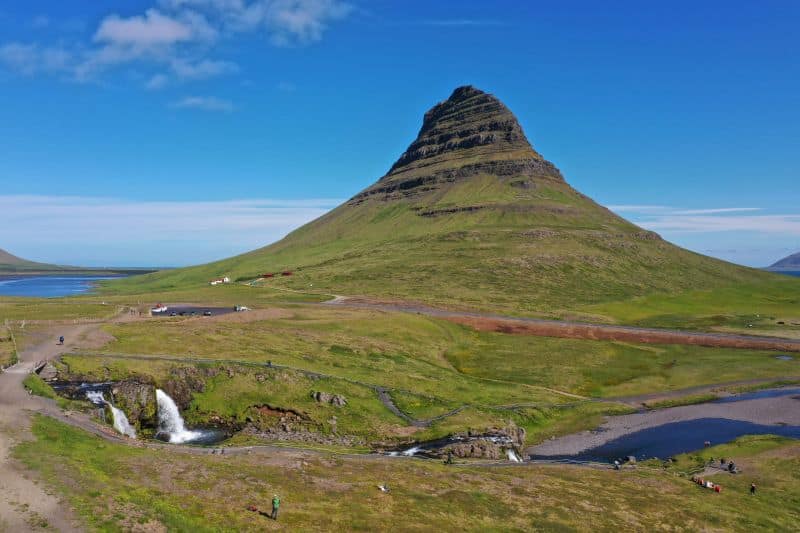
(24, 504)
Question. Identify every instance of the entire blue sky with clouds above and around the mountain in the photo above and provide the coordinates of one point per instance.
(171, 132)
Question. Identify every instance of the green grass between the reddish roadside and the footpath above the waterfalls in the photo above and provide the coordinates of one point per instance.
(428, 355)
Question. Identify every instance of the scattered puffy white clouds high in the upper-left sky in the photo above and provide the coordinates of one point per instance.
(174, 38)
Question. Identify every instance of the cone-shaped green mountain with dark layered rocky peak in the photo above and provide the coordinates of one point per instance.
(471, 216)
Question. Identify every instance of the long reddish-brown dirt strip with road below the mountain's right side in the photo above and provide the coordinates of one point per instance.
(578, 330)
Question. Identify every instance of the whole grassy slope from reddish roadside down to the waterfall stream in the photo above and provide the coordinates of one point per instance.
(429, 366)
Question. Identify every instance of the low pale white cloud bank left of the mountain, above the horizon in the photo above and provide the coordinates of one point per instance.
(78, 229)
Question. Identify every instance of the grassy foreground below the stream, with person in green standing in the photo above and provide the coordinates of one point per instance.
(116, 488)
